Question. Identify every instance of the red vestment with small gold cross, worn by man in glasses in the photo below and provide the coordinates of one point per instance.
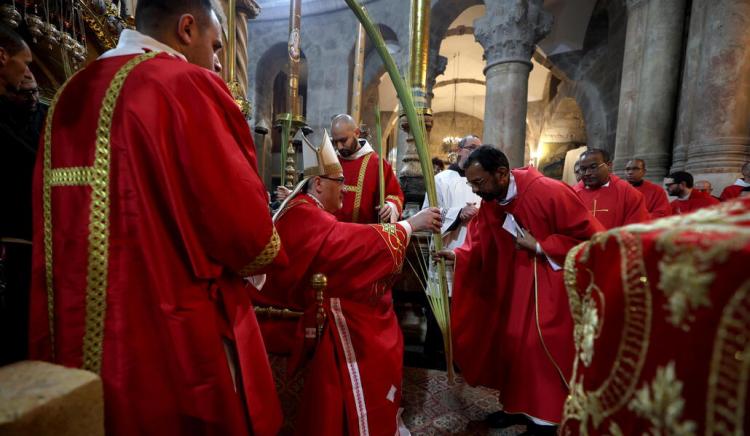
(615, 205)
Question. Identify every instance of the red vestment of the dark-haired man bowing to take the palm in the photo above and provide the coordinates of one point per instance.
(513, 332)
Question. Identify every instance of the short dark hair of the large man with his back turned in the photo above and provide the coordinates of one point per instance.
(152, 14)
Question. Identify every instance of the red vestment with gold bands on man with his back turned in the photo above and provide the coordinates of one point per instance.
(144, 200)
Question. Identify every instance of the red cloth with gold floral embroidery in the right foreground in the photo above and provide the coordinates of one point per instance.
(662, 326)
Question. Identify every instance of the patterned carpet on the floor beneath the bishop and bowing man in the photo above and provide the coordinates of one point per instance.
(431, 405)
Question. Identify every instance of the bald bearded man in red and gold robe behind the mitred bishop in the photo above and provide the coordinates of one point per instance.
(361, 191)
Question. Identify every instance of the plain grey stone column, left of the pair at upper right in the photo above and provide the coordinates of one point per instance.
(648, 91)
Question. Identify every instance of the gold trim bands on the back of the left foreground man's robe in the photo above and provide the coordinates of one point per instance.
(97, 177)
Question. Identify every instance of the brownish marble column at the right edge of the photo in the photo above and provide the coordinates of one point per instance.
(718, 141)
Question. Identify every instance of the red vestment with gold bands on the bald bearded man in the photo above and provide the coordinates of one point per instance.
(361, 195)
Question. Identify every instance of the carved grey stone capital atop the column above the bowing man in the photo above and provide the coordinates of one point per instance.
(510, 29)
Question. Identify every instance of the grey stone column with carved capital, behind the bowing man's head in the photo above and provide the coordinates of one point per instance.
(508, 32)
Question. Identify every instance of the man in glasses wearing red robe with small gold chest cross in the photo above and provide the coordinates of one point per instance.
(610, 199)
